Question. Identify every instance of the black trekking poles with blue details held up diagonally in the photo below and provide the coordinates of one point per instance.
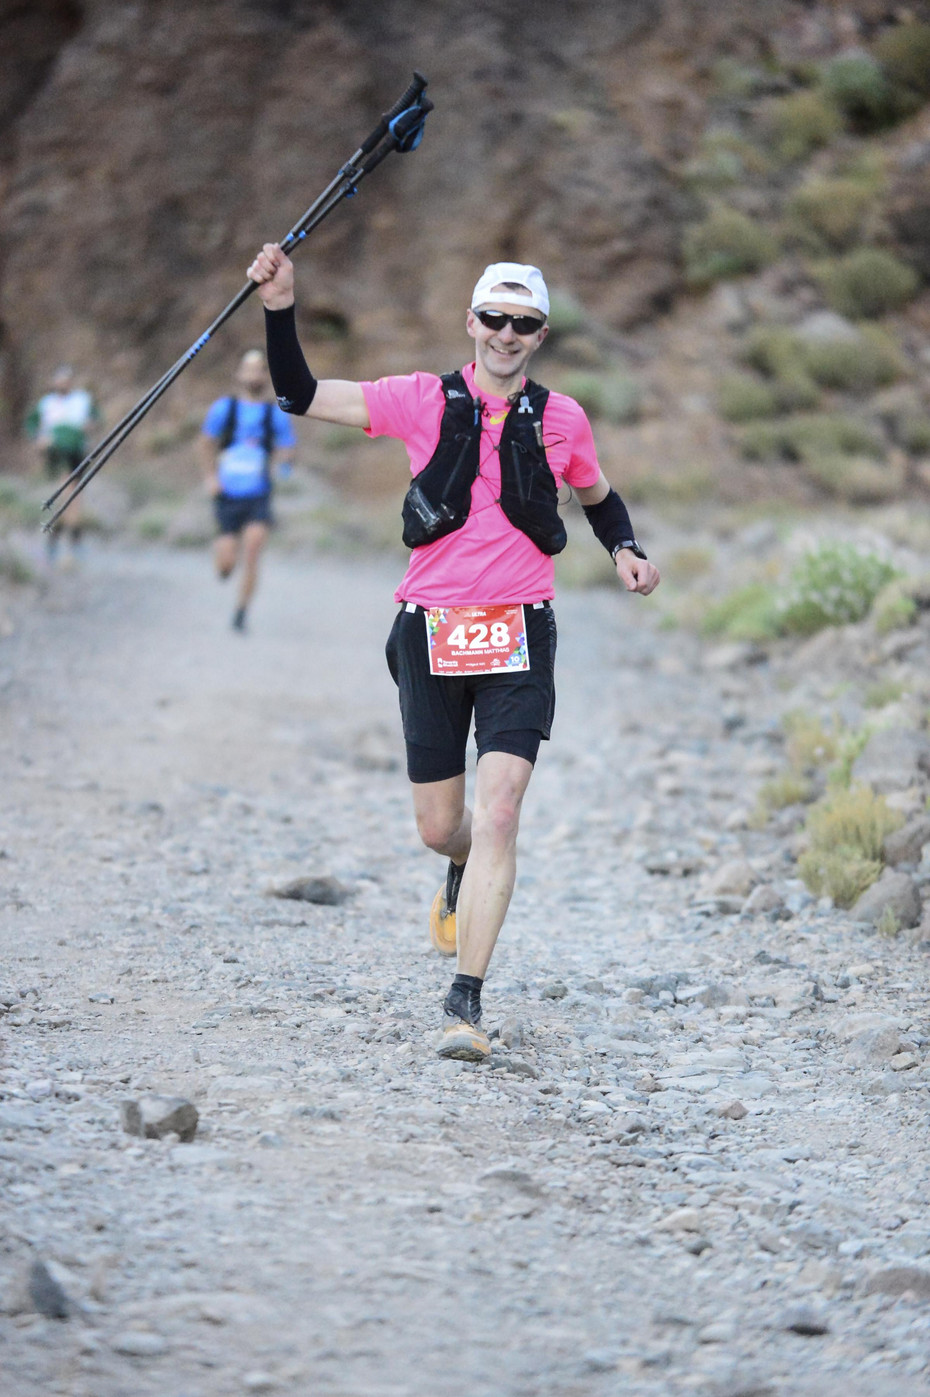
(401, 129)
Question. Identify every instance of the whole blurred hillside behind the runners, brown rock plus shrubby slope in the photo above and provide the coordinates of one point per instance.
(686, 180)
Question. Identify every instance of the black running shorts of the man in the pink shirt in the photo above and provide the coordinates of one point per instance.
(513, 712)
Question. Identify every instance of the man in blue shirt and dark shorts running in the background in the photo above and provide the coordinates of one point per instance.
(244, 439)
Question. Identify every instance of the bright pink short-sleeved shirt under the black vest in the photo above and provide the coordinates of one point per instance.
(488, 561)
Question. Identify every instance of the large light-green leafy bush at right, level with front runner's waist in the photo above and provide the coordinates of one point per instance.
(832, 586)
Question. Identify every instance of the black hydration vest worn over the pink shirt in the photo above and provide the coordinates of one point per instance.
(441, 498)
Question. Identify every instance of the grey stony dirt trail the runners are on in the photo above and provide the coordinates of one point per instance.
(696, 1164)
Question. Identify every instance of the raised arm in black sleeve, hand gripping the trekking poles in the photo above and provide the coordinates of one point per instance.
(298, 392)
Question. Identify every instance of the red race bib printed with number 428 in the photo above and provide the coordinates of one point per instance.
(477, 641)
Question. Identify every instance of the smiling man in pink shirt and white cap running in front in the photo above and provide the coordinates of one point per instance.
(475, 632)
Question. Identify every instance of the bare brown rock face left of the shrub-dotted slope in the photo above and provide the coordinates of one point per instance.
(152, 147)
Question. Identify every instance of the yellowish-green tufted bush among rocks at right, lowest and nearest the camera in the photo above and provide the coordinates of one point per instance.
(847, 832)
